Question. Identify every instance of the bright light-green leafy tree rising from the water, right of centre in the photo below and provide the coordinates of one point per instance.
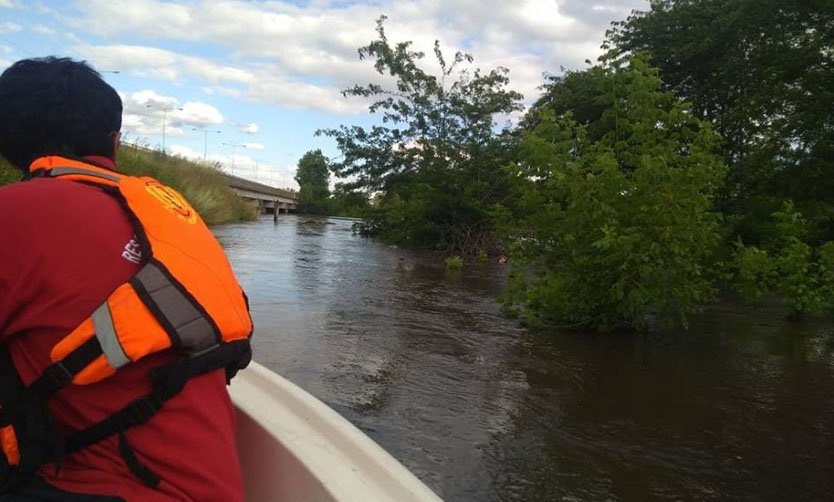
(615, 220)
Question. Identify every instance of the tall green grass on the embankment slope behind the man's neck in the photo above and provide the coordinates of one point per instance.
(203, 186)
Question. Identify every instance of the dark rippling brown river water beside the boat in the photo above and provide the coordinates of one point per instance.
(739, 407)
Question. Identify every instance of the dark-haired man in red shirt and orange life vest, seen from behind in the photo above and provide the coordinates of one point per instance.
(72, 246)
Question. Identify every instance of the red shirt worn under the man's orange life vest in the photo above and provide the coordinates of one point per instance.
(64, 247)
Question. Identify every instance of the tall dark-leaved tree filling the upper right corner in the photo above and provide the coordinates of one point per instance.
(762, 72)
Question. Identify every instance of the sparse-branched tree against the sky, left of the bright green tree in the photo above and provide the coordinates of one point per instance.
(435, 158)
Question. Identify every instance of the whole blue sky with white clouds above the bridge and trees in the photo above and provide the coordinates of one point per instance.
(247, 83)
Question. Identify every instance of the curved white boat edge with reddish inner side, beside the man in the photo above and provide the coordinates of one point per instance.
(293, 447)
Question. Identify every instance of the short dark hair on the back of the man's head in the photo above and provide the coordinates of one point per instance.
(54, 106)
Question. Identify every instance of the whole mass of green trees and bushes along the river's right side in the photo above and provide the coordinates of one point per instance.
(684, 162)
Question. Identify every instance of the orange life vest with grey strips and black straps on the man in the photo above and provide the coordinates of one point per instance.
(185, 297)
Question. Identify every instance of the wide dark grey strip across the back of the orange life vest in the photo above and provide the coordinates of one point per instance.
(194, 332)
